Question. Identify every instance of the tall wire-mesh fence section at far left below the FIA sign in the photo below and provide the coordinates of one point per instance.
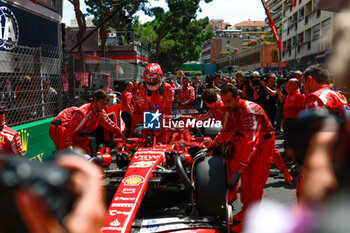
(31, 83)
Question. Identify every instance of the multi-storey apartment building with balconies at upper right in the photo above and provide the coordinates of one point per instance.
(306, 35)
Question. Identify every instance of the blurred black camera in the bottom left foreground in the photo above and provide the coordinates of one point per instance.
(49, 182)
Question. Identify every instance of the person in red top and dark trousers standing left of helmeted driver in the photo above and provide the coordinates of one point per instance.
(127, 108)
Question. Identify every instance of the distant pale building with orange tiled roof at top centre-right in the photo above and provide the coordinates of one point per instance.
(251, 30)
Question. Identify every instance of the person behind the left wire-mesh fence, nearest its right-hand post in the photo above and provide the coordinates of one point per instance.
(50, 99)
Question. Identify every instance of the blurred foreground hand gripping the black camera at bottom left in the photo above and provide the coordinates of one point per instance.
(89, 208)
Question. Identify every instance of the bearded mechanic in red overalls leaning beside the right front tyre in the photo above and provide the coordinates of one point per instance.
(253, 138)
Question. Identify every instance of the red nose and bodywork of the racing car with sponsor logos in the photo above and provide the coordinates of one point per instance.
(127, 199)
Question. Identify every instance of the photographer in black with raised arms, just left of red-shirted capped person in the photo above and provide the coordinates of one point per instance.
(265, 96)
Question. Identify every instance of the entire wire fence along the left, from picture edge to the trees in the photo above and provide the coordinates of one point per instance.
(33, 85)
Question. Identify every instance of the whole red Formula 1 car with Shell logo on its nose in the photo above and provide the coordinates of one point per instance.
(146, 174)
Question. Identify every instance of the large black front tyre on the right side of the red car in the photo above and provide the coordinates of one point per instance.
(211, 186)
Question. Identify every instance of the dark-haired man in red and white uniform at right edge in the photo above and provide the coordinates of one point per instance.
(319, 94)
